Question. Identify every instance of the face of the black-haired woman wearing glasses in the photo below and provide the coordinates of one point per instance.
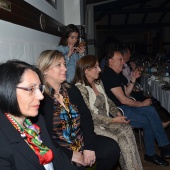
(29, 102)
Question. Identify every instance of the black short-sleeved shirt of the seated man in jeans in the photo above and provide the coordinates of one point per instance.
(111, 80)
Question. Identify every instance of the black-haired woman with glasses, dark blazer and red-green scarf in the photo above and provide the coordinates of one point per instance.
(25, 145)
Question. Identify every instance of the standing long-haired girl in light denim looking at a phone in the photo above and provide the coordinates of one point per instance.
(69, 46)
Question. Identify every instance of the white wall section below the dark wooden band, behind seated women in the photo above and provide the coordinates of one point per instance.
(17, 42)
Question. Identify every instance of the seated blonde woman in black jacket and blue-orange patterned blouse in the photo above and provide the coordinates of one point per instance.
(68, 119)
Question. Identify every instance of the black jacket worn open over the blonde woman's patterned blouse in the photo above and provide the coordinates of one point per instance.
(86, 122)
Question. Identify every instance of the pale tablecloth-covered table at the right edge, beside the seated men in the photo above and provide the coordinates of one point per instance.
(163, 96)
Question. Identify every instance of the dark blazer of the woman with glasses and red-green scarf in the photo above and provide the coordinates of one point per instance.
(16, 154)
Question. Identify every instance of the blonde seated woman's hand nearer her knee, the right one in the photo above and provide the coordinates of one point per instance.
(89, 157)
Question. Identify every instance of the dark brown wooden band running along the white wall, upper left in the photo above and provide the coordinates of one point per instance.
(26, 15)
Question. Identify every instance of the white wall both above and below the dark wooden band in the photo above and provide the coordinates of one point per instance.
(18, 42)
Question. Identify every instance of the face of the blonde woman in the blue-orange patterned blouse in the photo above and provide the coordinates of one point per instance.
(56, 73)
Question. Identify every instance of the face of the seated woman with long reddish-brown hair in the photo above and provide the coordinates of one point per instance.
(93, 73)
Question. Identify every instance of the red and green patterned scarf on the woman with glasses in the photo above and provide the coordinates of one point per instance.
(31, 135)
